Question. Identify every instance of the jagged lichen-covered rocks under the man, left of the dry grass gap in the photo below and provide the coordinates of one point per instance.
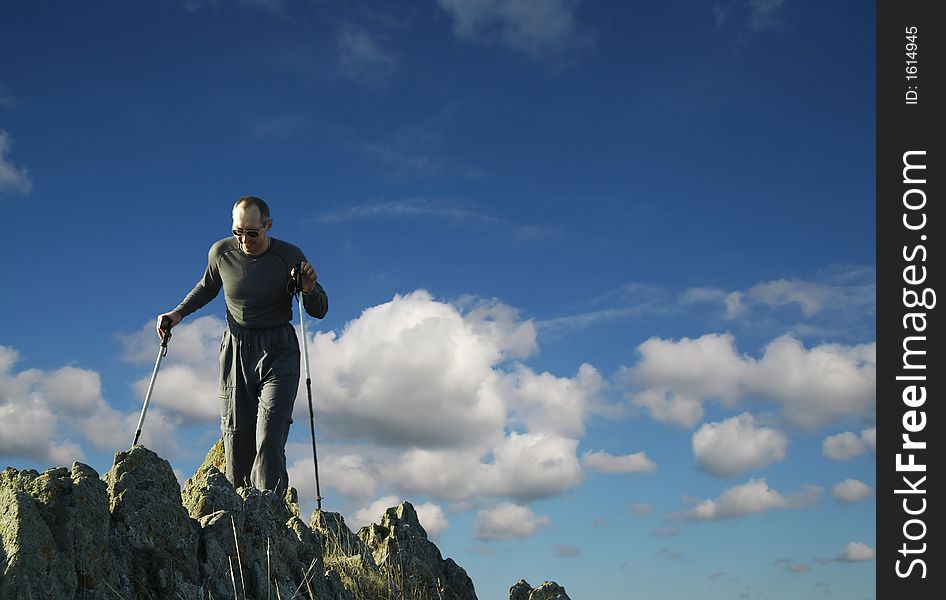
(69, 534)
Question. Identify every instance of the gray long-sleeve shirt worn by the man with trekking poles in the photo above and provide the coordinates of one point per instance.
(254, 286)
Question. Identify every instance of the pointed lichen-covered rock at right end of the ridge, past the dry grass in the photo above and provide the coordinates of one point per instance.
(403, 552)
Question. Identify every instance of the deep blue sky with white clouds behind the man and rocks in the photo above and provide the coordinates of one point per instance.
(601, 274)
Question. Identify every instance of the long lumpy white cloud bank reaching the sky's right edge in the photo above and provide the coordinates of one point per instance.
(813, 387)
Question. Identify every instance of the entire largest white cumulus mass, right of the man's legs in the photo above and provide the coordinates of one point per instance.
(424, 398)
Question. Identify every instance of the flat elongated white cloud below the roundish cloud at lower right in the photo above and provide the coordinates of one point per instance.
(752, 497)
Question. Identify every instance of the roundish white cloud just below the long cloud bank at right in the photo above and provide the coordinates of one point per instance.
(737, 444)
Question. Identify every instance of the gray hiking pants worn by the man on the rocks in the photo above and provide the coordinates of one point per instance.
(259, 378)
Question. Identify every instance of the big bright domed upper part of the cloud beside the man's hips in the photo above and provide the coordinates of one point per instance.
(410, 372)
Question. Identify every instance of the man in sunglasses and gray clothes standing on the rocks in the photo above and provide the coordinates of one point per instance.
(259, 353)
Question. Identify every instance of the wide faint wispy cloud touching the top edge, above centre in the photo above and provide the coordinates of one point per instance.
(537, 28)
